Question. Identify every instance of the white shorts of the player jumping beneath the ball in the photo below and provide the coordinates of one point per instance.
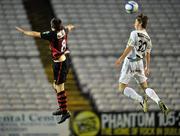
(132, 69)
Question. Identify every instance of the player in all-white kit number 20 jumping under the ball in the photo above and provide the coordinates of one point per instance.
(139, 45)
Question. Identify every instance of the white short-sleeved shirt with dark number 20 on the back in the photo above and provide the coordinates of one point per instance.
(141, 43)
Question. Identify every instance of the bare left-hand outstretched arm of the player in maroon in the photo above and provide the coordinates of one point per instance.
(29, 33)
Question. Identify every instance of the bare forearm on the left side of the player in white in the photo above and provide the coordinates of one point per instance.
(122, 57)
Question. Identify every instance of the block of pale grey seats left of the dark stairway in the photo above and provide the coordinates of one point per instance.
(21, 71)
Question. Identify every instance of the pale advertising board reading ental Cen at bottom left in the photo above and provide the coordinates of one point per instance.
(31, 123)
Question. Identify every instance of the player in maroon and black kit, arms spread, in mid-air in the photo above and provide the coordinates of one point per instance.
(57, 37)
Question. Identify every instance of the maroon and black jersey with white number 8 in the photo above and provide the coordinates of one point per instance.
(58, 42)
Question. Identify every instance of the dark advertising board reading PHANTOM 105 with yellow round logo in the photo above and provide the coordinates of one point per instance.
(90, 123)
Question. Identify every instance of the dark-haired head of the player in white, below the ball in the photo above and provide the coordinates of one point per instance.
(141, 21)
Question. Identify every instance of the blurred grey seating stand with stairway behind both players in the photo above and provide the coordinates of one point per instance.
(103, 28)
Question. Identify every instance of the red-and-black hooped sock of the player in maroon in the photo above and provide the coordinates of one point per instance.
(62, 101)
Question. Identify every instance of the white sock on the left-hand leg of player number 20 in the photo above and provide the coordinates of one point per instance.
(131, 93)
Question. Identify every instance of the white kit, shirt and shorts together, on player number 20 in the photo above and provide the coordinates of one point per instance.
(133, 63)
